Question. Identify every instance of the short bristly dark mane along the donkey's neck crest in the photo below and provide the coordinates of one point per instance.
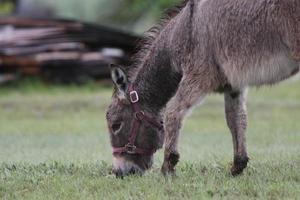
(145, 44)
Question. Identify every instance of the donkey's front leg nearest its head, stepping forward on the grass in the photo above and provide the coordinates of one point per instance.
(187, 95)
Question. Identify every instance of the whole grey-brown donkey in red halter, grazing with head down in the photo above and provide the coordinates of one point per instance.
(206, 46)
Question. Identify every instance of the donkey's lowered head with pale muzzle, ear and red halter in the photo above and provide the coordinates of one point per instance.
(135, 132)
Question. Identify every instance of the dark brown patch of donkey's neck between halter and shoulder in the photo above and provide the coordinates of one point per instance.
(156, 80)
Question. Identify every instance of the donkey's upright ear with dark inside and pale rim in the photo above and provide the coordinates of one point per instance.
(119, 77)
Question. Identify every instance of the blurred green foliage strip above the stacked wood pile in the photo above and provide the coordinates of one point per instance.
(130, 15)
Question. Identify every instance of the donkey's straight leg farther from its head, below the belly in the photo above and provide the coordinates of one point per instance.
(236, 116)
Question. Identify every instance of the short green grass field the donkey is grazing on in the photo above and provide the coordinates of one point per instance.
(54, 145)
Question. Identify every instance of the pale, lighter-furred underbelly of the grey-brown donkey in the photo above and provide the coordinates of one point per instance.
(264, 72)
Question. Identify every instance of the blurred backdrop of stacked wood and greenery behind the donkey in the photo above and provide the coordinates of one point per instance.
(69, 41)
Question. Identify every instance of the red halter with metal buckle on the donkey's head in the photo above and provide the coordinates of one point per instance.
(139, 117)
